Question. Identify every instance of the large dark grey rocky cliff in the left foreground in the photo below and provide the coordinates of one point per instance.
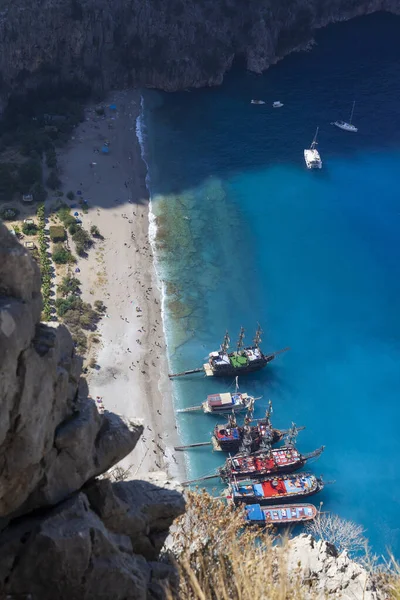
(65, 533)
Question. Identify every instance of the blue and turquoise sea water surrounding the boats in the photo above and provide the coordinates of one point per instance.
(247, 235)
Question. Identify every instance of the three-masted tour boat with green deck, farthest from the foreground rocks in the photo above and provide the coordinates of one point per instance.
(243, 360)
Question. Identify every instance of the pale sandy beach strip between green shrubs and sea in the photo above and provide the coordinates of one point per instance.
(131, 374)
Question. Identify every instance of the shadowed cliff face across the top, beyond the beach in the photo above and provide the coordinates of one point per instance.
(169, 45)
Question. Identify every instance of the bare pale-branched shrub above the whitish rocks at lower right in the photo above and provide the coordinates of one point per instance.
(343, 534)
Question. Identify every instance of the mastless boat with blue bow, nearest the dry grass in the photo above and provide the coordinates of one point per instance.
(286, 514)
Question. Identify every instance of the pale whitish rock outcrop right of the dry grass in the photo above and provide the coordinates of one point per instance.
(328, 573)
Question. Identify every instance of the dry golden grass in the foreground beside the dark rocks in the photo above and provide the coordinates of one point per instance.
(218, 559)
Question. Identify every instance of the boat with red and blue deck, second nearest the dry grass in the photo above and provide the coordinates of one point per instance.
(275, 490)
